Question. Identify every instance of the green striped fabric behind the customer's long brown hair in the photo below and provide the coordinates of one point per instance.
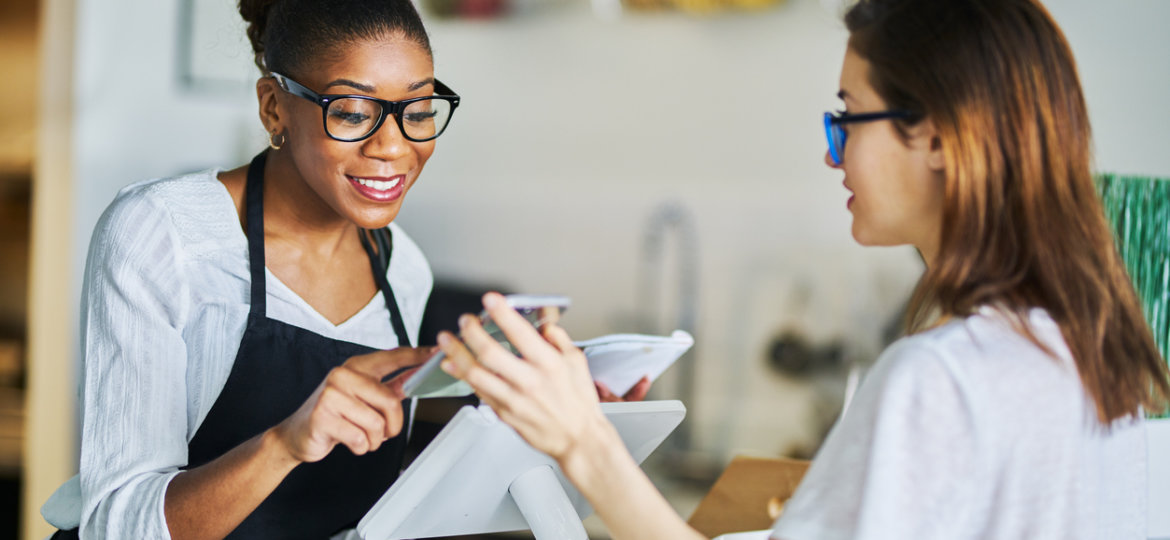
(1139, 209)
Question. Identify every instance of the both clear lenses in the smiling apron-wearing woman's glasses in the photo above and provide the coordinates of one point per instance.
(354, 119)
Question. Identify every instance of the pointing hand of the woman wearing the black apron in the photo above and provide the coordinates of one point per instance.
(352, 407)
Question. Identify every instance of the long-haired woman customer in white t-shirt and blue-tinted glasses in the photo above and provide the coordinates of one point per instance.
(1014, 409)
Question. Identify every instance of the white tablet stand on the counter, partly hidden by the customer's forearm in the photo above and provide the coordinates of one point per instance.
(479, 476)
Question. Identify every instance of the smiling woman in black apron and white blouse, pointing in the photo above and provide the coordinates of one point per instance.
(239, 324)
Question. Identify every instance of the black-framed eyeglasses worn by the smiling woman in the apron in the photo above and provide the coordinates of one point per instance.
(352, 119)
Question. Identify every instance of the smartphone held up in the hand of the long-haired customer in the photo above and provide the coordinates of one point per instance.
(431, 382)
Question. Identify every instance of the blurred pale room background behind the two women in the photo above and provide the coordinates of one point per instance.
(659, 162)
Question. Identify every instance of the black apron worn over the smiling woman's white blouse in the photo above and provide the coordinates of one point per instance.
(277, 370)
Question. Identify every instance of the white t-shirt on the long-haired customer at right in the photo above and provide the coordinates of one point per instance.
(972, 432)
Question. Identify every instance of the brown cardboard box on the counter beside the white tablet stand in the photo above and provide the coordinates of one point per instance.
(749, 496)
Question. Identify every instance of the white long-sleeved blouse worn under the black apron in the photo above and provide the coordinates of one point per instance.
(164, 307)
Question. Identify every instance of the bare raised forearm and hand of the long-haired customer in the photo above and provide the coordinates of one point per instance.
(549, 398)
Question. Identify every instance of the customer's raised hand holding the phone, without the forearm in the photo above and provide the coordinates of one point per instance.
(548, 397)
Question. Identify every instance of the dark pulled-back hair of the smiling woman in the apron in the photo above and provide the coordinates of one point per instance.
(287, 34)
